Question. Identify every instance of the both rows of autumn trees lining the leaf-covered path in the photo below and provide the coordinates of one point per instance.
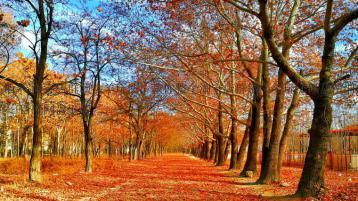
(222, 66)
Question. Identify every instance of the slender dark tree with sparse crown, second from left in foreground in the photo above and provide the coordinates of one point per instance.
(87, 53)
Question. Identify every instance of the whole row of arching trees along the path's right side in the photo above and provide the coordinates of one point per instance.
(229, 63)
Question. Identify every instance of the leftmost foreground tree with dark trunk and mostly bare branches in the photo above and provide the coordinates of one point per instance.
(42, 12)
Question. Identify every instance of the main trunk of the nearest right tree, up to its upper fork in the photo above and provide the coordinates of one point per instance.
(312, 178)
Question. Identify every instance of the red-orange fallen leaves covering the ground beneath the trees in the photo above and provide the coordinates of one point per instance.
(171, 177)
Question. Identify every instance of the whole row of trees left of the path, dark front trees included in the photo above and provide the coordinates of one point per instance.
(85, 76)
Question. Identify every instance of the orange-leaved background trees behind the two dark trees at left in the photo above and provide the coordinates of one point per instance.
(118, 126)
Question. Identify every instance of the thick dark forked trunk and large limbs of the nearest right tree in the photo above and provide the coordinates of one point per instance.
(312, 178)
